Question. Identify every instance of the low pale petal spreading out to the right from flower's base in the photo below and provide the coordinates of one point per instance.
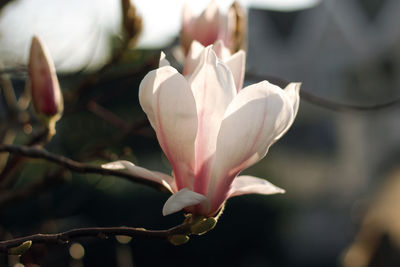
(245, 184)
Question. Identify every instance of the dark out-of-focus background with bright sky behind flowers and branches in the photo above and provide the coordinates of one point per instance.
(338, 164)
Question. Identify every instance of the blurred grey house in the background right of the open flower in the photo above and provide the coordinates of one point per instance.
(346, 51)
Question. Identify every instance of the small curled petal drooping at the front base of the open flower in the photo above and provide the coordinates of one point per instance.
(183, 199)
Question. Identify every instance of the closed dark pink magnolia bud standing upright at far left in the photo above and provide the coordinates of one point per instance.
(46, 94)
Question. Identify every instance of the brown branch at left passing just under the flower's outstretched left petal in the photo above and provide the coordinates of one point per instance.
(37, 152)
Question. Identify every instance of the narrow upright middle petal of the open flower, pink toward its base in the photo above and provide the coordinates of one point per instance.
(213, 88)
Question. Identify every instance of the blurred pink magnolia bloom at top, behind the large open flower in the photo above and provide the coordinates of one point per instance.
(212, 25)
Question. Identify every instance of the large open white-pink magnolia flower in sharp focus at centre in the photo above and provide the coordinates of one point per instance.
(210, 131)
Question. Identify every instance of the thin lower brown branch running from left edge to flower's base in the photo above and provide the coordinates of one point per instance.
(99, 232)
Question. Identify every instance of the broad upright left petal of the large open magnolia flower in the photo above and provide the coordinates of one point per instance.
(166, 98)
